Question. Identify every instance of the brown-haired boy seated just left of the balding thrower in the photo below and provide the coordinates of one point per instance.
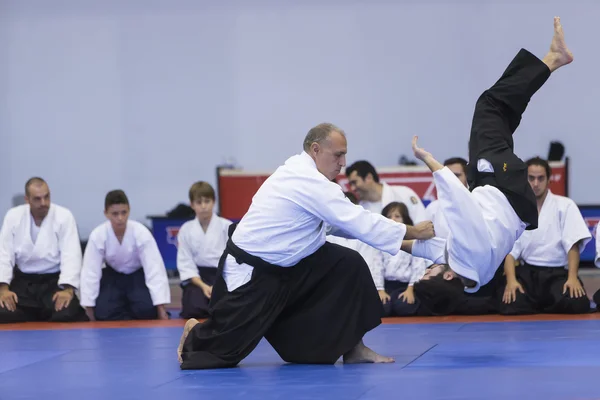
(200, 245)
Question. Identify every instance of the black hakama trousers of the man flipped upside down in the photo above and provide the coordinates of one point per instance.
(497, 115)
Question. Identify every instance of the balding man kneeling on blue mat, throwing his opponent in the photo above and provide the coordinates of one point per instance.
(280, 279)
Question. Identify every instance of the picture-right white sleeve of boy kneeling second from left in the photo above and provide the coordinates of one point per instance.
(155, 271)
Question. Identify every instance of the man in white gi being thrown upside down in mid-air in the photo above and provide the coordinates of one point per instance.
(486, 219)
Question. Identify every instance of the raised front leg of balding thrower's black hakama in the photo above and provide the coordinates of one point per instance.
(331, 308)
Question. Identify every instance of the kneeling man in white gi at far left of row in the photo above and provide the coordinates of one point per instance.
(40, 260)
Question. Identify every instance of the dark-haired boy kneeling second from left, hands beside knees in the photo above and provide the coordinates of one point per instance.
(123, 276)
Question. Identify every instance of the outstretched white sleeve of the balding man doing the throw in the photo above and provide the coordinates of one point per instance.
(326, 200)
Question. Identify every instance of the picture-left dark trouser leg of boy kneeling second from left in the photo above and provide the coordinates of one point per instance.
(111, 304)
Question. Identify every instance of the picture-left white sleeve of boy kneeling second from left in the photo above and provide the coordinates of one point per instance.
(91, 273)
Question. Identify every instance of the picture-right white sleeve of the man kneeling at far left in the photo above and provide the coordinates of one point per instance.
(70, 253)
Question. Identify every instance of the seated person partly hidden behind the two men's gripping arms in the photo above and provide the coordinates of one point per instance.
(400, 271)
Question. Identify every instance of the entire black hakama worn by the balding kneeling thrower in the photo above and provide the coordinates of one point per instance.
(311, 313)
